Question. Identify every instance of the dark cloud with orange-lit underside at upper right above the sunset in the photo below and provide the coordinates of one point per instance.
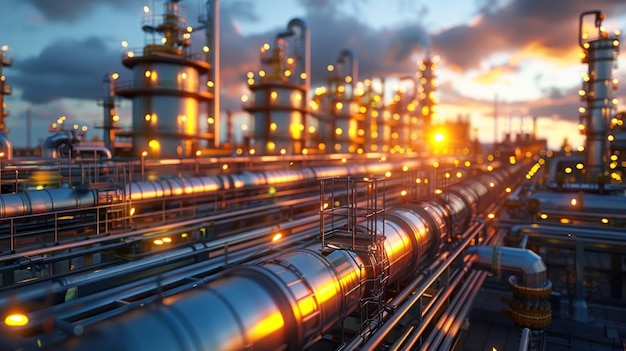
(551, 26)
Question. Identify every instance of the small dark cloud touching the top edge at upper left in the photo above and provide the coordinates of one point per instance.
(72, 10)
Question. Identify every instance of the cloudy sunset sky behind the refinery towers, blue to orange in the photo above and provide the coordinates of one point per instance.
(525, 52)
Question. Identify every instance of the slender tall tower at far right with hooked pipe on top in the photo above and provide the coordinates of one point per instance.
(600, 54)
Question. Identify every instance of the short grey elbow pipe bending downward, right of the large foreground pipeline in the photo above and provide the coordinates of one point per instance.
(497, 258)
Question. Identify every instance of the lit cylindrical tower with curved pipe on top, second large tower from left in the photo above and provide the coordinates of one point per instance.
(279, 94)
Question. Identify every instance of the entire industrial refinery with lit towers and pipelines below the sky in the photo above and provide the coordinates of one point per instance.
(341, 221)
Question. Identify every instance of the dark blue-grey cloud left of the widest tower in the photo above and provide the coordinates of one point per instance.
(66, 69)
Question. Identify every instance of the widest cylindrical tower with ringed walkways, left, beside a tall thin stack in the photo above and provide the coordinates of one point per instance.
(167, 88)
